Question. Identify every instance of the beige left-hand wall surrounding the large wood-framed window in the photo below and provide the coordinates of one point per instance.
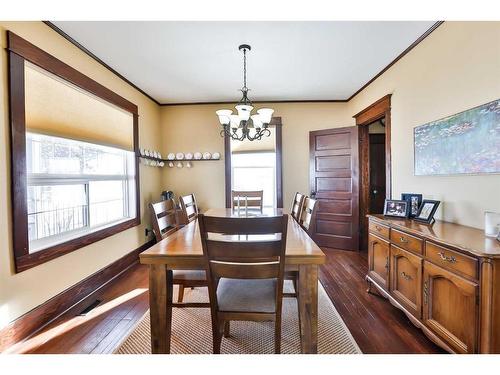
(21, 292)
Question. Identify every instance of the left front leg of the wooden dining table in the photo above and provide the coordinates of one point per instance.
(160, 305)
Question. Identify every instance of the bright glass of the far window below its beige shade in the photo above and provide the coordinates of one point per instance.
(255, 171)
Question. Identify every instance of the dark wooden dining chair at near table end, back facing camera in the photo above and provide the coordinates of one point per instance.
(245, 277)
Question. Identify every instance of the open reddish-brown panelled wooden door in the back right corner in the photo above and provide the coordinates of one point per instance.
(334, 176)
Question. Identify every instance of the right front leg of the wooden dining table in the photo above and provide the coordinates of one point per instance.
(308, 308)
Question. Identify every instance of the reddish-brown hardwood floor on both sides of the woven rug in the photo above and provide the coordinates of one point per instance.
(375, 324)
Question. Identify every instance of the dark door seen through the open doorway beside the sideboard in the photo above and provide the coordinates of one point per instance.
(377, 173)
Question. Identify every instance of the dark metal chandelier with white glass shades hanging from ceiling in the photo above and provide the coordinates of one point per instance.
(243, 124)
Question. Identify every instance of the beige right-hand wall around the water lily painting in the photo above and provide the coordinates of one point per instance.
(455, 68)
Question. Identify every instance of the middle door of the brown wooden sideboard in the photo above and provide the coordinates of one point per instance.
(406, 280)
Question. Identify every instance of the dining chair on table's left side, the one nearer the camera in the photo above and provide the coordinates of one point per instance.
(164, 221)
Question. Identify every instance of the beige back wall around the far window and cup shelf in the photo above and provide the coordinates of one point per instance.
(192, 128)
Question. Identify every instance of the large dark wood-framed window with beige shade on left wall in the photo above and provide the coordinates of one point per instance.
(74, 170)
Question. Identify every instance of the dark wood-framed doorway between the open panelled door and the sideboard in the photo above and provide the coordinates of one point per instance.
(380, 111)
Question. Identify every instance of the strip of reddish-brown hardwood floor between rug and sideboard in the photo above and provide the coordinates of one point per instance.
(376, 325)
